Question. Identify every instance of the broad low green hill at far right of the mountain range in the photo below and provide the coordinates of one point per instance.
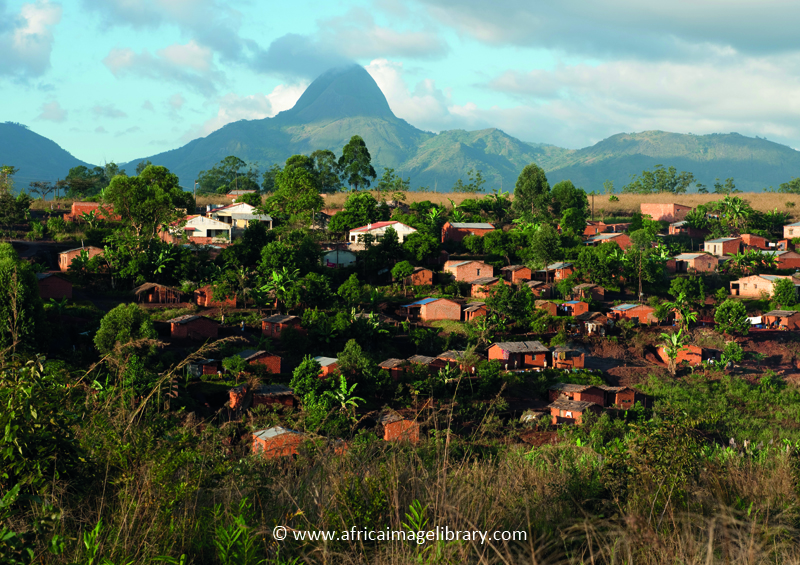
(754, 163)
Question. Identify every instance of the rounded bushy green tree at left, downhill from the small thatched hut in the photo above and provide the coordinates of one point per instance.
(125, 330)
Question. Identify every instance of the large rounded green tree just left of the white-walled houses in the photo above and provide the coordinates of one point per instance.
(148, 201)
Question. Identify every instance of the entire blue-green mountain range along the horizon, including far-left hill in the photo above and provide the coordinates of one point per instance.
(346, 102)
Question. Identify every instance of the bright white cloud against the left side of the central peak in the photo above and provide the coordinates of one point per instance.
(233, 107)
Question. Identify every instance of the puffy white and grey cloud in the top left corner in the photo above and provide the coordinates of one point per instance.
(26, 44)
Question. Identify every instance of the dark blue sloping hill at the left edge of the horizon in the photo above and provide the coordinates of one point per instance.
(36, 157)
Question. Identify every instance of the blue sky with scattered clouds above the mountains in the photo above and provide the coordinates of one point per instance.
(123, 79)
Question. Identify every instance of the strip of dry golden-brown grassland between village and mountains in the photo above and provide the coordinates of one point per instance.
(627, 204)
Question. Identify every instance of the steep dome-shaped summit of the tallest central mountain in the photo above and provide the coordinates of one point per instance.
(340, 93)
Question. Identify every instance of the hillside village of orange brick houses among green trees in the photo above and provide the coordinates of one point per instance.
(405, 314)
